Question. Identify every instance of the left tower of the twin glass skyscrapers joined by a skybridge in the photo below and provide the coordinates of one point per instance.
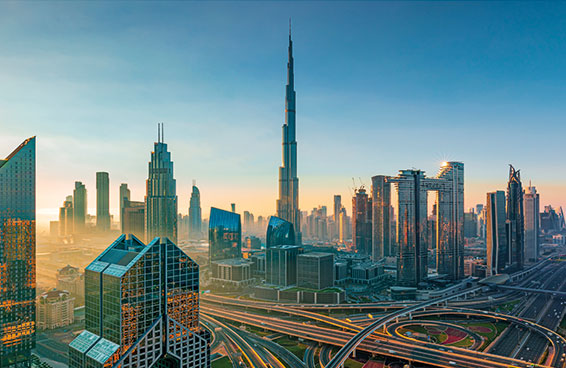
(412, 263)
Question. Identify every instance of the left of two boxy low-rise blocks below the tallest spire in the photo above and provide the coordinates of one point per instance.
(281, 265)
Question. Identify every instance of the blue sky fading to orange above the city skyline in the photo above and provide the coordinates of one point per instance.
(380, 87)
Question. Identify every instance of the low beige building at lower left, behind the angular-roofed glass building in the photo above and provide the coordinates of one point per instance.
(54, 309)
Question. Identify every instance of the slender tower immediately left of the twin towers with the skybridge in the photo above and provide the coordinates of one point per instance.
(381, 220)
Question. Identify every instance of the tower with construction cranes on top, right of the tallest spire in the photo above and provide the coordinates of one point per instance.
(361, 222)
